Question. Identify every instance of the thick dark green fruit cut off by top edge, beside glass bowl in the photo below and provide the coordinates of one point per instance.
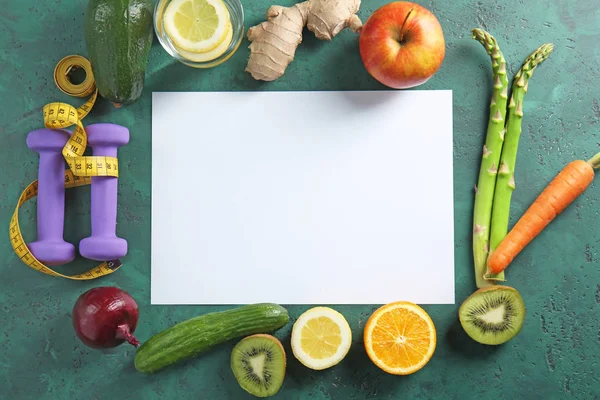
(118, 36)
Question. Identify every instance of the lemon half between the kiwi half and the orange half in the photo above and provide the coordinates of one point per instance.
(321, 338)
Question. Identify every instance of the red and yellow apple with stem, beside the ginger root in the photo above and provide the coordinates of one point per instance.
(402, 45)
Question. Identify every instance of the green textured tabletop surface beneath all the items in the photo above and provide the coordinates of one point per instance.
(555, 356)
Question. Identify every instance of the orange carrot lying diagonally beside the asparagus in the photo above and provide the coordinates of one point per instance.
(564, 188)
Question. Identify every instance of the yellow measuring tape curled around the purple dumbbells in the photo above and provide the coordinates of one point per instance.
(81, 168)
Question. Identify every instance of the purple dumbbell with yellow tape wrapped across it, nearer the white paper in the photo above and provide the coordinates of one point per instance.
(103, 244)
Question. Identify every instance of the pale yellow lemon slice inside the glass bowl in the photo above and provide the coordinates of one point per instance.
(197, 26)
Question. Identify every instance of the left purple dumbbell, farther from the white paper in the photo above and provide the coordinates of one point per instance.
(50, 247)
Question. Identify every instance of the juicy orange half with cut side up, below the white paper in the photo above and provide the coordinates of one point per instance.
(400, 338)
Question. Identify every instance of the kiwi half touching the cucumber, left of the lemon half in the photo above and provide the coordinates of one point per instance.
(258, 363)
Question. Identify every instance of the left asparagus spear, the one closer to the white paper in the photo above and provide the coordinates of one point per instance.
(484, 191)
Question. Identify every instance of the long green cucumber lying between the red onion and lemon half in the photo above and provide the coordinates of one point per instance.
(194, 336)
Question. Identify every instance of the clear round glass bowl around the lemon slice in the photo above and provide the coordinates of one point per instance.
(236, 13)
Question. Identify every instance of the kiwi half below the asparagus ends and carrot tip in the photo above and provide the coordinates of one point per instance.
(493, 315)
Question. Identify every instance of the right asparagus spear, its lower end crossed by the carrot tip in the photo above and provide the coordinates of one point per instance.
(505, 183)
